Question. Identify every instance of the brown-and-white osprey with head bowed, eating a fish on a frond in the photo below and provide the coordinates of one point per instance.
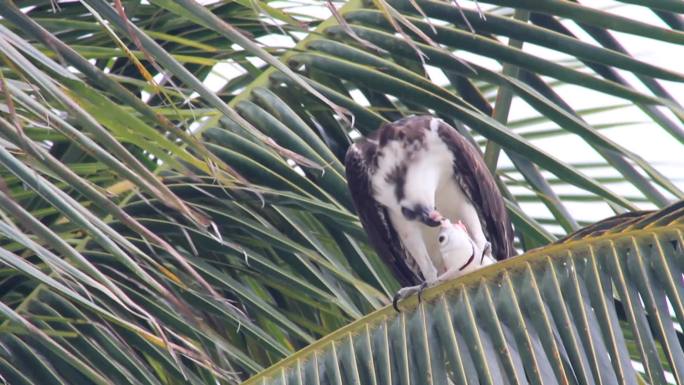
(409, 175)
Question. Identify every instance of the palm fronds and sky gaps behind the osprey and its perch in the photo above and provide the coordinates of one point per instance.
(172, 199)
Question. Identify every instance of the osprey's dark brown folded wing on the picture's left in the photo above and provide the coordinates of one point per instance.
(374, 216)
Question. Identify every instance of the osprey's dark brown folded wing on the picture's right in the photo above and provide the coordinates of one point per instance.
(478, 184)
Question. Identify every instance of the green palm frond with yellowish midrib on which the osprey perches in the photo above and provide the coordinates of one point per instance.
(589, 309)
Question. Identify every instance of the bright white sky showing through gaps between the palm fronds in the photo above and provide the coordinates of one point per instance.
(645, 139)
